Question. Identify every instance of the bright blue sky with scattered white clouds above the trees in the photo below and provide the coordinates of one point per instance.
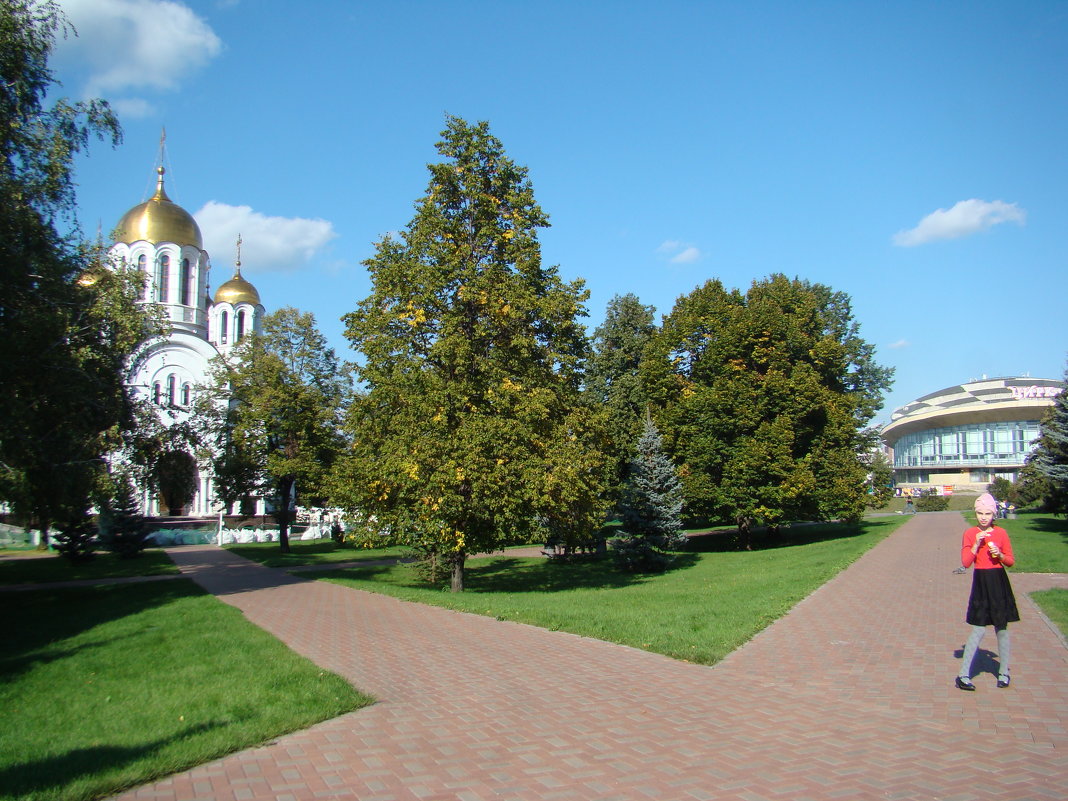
(912, 154)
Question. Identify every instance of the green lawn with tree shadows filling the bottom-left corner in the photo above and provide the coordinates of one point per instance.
(108, 687)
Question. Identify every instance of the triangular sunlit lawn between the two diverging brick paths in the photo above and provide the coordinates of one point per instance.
(710, 604)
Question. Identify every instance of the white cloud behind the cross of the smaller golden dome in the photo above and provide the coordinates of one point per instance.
(268, 243)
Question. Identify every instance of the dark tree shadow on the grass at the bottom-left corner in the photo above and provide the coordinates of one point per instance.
(48, 777)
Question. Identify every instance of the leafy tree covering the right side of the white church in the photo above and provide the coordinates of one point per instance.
(277, 403)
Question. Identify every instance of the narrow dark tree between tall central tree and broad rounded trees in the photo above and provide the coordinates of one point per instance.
(614, 378)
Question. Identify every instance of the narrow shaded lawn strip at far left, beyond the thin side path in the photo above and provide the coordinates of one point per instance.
(35, 568)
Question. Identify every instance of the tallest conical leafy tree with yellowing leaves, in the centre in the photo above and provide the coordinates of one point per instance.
(473, 431)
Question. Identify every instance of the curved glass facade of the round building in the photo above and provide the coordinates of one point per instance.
(978, 445)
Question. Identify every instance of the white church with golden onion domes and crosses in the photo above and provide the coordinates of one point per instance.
(164, 243)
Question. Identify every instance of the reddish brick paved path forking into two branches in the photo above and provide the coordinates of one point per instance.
(849, 697)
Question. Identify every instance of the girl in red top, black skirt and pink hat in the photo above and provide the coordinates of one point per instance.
(992, 603)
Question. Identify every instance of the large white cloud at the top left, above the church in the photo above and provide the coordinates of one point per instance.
(137, 45)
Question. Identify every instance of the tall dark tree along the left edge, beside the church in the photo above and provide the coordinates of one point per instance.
(67, 331)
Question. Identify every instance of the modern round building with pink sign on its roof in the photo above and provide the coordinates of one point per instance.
(968, 435)
